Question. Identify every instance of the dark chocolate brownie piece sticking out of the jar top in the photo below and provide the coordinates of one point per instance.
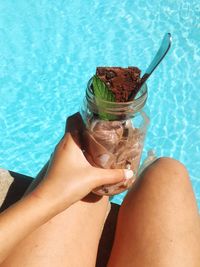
(123, 82)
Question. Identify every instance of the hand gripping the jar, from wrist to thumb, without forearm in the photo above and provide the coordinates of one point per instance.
(70, 177)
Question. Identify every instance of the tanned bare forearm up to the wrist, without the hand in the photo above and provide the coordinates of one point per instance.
(21, 219)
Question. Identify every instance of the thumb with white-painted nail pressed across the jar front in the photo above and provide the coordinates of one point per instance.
(112, 176)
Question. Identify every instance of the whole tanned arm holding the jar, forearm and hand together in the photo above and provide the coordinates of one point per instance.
(69, 178)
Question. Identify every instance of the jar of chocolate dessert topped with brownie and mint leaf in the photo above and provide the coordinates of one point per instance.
(116, 123)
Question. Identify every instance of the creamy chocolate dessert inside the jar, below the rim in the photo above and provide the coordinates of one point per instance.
(111, 145)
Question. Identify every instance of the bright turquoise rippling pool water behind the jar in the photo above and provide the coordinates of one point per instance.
(49, 50)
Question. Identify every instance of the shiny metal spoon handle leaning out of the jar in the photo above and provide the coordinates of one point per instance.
(164, 48)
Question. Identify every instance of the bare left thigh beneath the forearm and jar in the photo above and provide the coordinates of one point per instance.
(70, 239)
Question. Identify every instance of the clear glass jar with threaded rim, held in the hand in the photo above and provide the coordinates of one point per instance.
(114, 135)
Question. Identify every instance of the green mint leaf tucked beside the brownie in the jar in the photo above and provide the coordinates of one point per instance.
(102, 92)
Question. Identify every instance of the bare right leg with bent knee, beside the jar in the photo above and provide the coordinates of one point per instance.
(158, 223)
